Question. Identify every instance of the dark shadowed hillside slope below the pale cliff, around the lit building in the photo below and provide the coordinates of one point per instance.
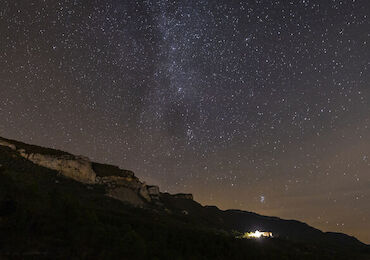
(44, 215)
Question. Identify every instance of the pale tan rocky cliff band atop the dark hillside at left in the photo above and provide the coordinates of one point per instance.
(119, 184)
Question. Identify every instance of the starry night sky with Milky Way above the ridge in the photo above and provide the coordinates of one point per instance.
(257, 105)
